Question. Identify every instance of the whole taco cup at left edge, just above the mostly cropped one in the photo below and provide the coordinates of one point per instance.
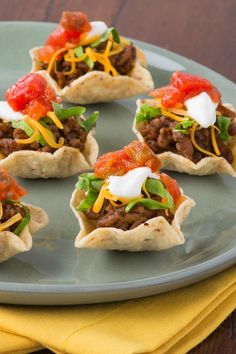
(41, 139)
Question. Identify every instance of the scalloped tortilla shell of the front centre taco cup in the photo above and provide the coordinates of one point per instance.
(154, 235)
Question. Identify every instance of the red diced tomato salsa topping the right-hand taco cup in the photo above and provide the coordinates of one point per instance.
(182, 87)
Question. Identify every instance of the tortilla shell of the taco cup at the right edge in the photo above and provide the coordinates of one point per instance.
(206, 166)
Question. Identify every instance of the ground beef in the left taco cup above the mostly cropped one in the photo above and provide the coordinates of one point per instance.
(74, 136)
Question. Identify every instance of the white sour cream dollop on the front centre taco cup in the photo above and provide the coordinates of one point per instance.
(130, 184)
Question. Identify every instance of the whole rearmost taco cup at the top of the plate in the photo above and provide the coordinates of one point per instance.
(87, 62)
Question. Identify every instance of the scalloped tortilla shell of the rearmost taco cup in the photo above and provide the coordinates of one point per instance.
(97, 86)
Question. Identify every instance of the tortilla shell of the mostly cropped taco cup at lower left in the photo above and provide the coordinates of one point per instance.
(11, 244)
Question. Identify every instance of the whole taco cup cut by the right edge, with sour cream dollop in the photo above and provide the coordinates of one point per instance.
(188, 128)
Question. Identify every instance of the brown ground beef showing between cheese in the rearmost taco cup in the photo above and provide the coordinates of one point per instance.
(123, 62)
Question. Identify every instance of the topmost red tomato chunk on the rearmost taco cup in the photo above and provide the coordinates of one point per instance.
(75, 22)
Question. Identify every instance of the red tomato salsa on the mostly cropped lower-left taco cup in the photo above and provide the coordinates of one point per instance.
(9, 188)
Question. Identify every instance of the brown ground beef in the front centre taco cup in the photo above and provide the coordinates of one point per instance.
(117, 217)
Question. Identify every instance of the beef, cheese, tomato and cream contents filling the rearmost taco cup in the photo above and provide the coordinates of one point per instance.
(73, 49)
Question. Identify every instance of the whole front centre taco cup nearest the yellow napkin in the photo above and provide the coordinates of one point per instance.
(127, 204)
